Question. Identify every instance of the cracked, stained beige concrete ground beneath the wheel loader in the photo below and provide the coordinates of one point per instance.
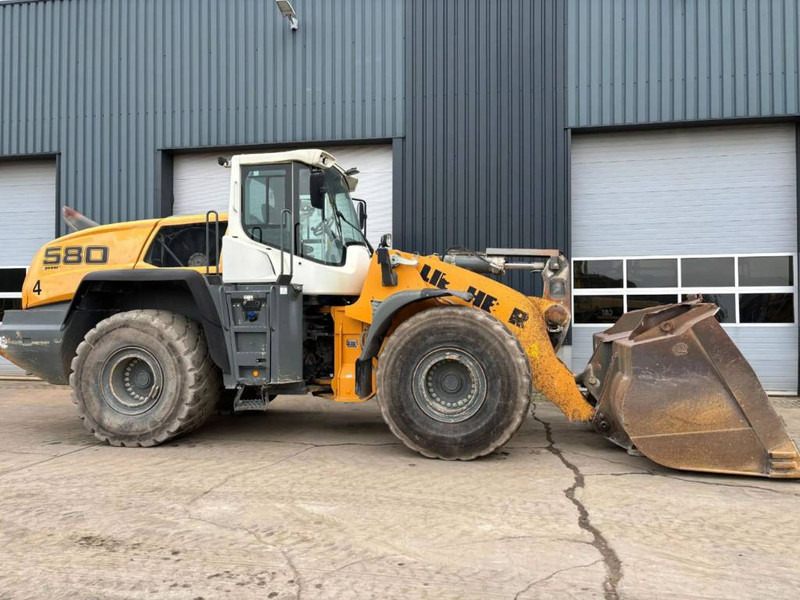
(314, 500)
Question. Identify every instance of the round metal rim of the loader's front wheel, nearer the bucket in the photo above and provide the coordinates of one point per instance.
(449, 385)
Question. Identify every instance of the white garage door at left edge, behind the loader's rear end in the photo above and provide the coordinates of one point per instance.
(28, 208)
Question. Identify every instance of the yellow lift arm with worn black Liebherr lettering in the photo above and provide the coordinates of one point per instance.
(549, 374)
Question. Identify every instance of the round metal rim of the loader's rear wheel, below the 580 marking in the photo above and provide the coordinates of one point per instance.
(132, 380)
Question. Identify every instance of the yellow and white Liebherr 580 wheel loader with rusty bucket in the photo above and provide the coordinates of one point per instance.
(152, 322)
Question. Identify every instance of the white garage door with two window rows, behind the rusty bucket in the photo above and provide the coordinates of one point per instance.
(659, 214)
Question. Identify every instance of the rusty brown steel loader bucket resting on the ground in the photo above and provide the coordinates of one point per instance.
(669, 382)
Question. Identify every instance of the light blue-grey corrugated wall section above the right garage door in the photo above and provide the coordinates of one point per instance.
(643, 61)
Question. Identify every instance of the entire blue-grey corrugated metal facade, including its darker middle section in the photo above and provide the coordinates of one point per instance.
(478, 96)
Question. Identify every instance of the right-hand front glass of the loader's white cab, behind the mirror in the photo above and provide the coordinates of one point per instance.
(324, 235)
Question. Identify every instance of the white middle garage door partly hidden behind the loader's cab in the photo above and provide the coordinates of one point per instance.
(200, 184)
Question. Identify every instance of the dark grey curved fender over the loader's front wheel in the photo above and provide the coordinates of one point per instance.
(381, 322)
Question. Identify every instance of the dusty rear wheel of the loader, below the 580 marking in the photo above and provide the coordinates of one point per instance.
(144, 377)
